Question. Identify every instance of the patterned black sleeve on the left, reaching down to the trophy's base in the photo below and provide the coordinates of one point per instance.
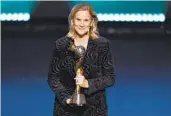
(54, 76)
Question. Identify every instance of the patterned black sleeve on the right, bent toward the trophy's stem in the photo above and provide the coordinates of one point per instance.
(106, 77)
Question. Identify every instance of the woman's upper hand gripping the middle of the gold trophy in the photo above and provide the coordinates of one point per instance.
(81, 81)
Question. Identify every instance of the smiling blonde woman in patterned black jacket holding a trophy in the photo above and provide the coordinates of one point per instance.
(97, 65)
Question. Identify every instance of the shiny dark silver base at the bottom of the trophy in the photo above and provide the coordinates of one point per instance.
(78, 99)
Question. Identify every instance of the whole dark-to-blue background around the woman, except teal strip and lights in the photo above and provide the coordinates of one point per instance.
(142, 53)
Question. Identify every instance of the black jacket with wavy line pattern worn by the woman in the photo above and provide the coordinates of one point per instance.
(98, 69)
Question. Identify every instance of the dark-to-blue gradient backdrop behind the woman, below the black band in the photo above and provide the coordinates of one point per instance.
(143, 76)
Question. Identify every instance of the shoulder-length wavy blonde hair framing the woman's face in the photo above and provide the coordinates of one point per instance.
(93, 33)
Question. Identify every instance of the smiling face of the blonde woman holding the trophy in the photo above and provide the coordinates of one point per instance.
(82, 22)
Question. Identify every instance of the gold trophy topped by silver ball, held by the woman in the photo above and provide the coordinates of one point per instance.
(78, 98)
